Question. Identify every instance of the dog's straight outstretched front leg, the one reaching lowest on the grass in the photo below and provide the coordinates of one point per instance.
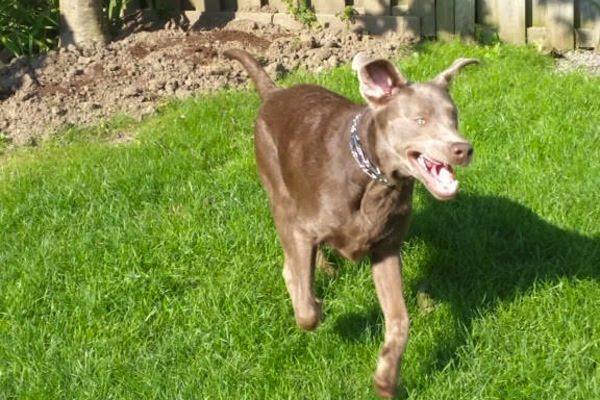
(387, 275)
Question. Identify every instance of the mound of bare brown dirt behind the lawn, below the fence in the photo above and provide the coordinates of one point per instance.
(132, 74)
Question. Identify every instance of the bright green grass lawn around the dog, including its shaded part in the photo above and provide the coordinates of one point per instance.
(152, 269)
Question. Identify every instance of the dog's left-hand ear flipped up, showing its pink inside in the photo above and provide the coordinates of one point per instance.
(378, 78)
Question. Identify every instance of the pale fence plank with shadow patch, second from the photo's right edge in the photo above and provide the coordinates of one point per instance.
(560, 24)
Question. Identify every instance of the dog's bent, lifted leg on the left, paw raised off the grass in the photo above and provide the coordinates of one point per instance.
(298, 272)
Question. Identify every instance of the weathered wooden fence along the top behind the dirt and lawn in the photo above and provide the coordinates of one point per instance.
(559, 24)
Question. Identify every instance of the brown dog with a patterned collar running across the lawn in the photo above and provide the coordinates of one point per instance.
(343, 174)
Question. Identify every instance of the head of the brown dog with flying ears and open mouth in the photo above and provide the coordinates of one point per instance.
(417, 124)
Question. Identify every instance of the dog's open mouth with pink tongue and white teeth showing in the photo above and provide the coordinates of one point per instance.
(437, 176)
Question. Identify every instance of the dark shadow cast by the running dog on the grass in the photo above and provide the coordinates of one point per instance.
(483, 250)
